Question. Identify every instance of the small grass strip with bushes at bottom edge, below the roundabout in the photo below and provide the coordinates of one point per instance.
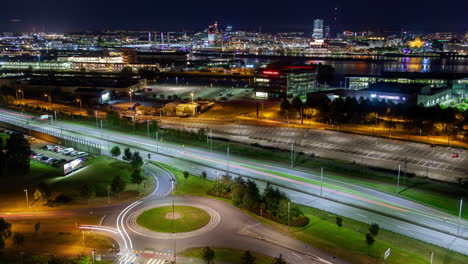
(226, 255)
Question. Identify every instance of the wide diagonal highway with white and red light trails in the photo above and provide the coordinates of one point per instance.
(362, 204)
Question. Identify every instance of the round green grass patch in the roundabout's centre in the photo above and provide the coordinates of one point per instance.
(191, 219)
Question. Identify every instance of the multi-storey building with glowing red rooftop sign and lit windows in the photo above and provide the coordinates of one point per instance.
(285, 82)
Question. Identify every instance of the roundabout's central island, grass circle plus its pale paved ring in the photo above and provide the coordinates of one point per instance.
(160, 221)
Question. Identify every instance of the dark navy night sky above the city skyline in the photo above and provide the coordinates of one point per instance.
(271, 15)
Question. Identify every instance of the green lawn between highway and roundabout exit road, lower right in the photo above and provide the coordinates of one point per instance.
(348, 242)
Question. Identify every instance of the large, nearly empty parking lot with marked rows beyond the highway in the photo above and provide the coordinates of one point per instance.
(424, 161)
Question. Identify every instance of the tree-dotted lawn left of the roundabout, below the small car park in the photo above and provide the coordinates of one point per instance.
(99, 171)
